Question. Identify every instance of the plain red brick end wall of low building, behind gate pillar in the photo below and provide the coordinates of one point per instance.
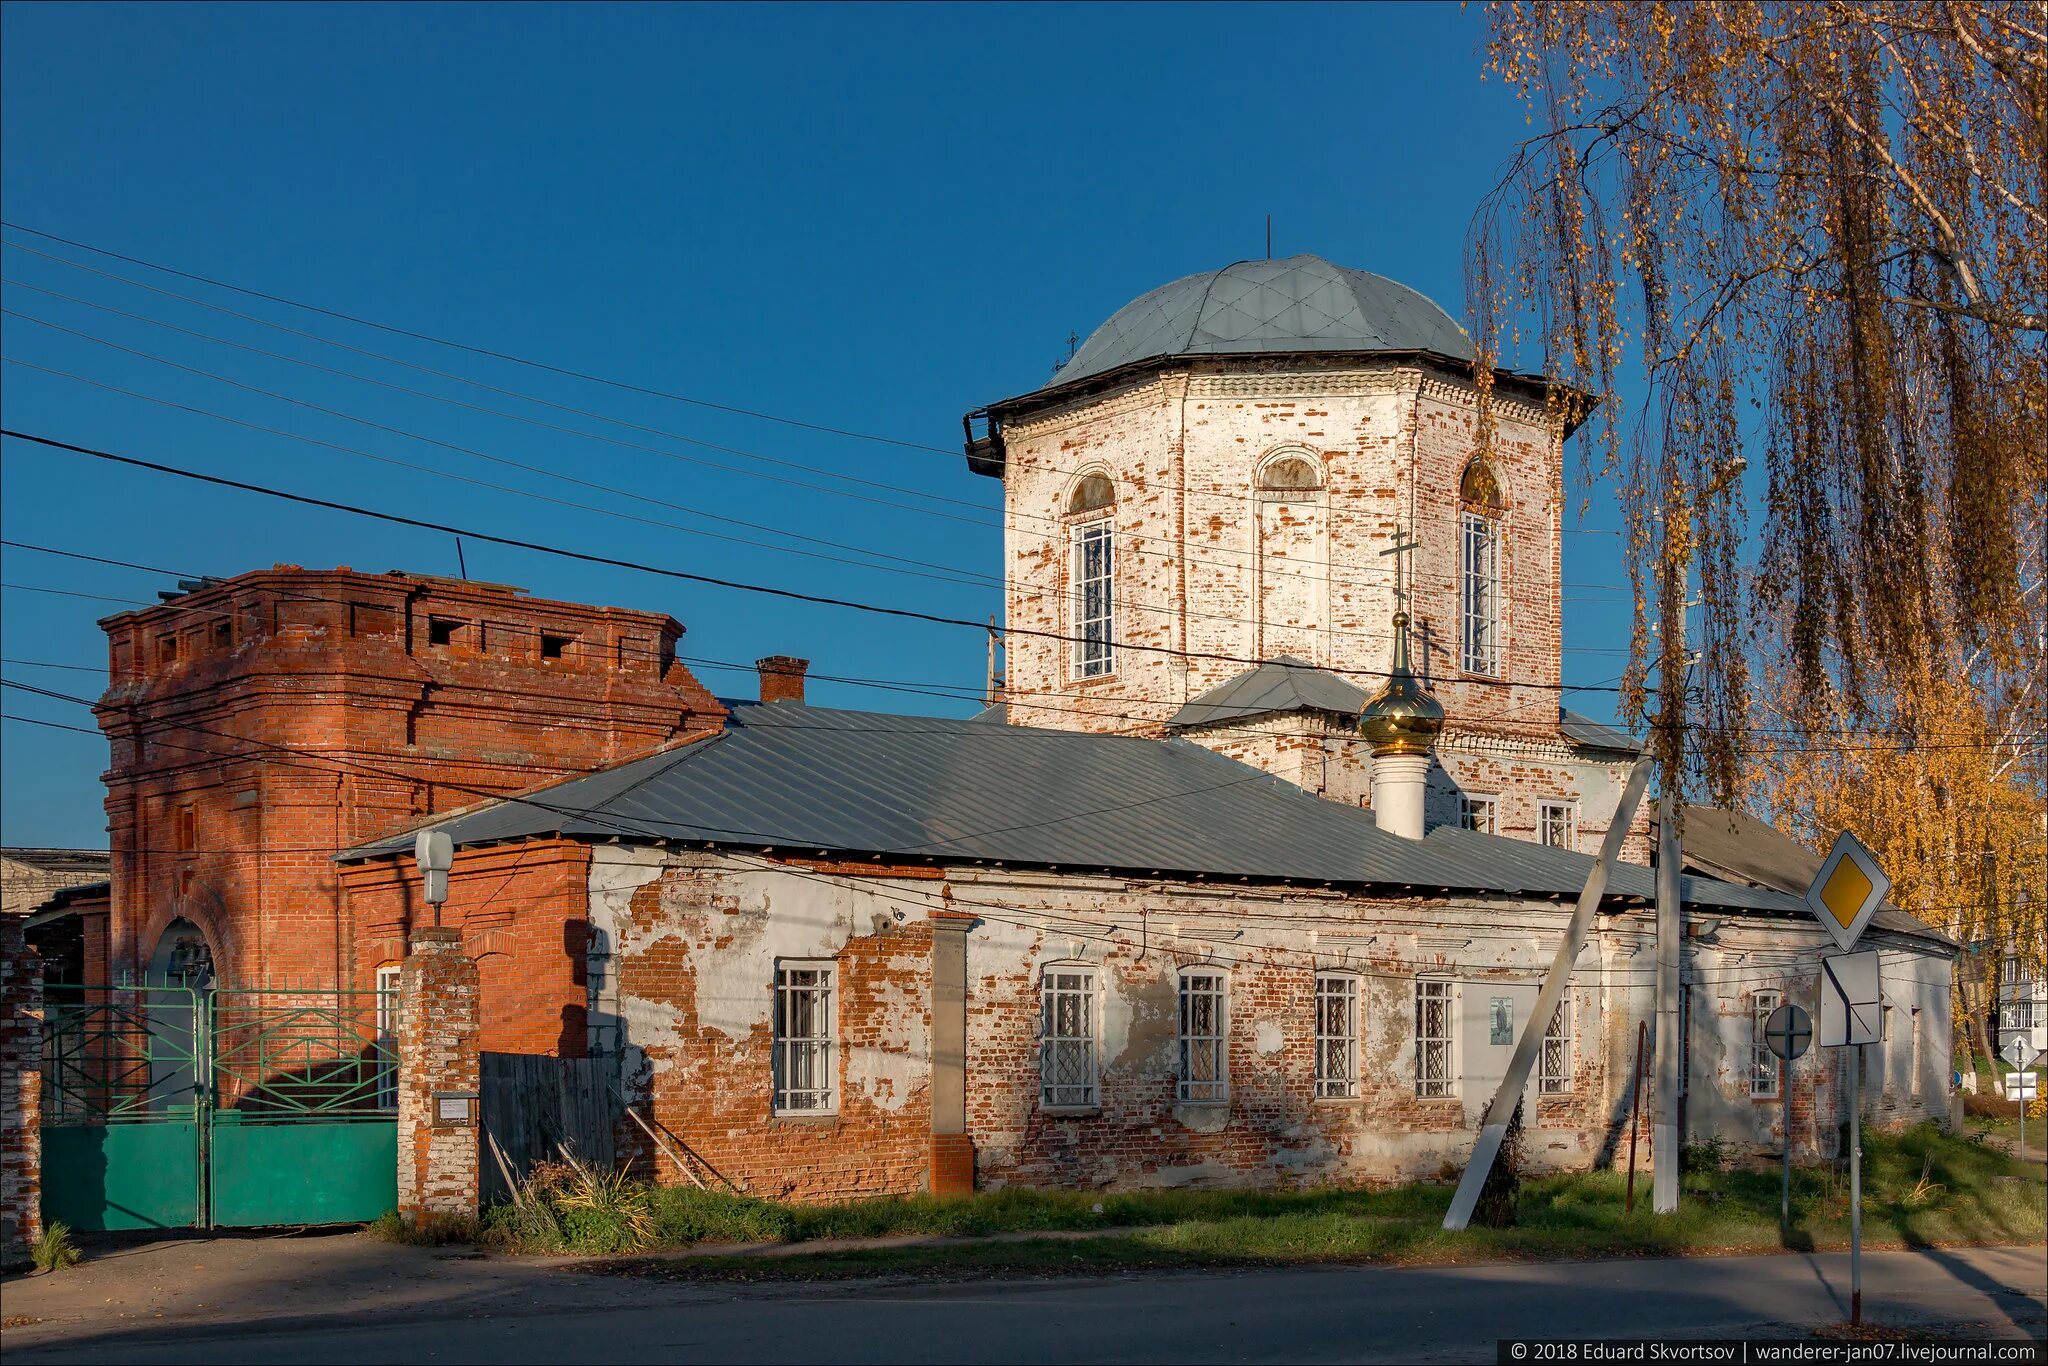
(523, 916)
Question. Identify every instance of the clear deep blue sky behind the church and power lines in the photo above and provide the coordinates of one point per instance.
(863, 218)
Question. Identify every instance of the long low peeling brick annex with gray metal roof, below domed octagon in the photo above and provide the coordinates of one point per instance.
(851, 953)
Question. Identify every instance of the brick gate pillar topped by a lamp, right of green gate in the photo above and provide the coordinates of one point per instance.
(437, 1080)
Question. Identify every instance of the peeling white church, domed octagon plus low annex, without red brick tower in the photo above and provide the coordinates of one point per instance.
(1256, 865)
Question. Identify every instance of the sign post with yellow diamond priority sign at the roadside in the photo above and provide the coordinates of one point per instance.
(1844, 896)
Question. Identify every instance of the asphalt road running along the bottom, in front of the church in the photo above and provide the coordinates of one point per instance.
(1269, 1316)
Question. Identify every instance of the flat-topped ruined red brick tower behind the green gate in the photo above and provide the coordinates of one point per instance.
(263, 724)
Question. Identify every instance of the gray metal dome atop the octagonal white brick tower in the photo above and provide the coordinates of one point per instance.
(1269, 306)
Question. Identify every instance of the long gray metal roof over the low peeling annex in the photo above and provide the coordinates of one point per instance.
(808, 779)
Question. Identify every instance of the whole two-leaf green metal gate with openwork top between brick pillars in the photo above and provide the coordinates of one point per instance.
(175, 1107)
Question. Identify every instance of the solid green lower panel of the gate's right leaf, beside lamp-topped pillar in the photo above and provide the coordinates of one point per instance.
(302, 1172)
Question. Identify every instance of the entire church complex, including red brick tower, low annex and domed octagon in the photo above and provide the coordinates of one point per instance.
(1248, 876)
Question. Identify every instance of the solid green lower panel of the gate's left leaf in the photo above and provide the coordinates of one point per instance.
(124, 1177)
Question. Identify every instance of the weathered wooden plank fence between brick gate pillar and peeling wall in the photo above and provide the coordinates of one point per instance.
(531, 1103)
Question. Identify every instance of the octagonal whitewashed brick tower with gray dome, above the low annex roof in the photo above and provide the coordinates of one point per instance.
(1205, 525)
